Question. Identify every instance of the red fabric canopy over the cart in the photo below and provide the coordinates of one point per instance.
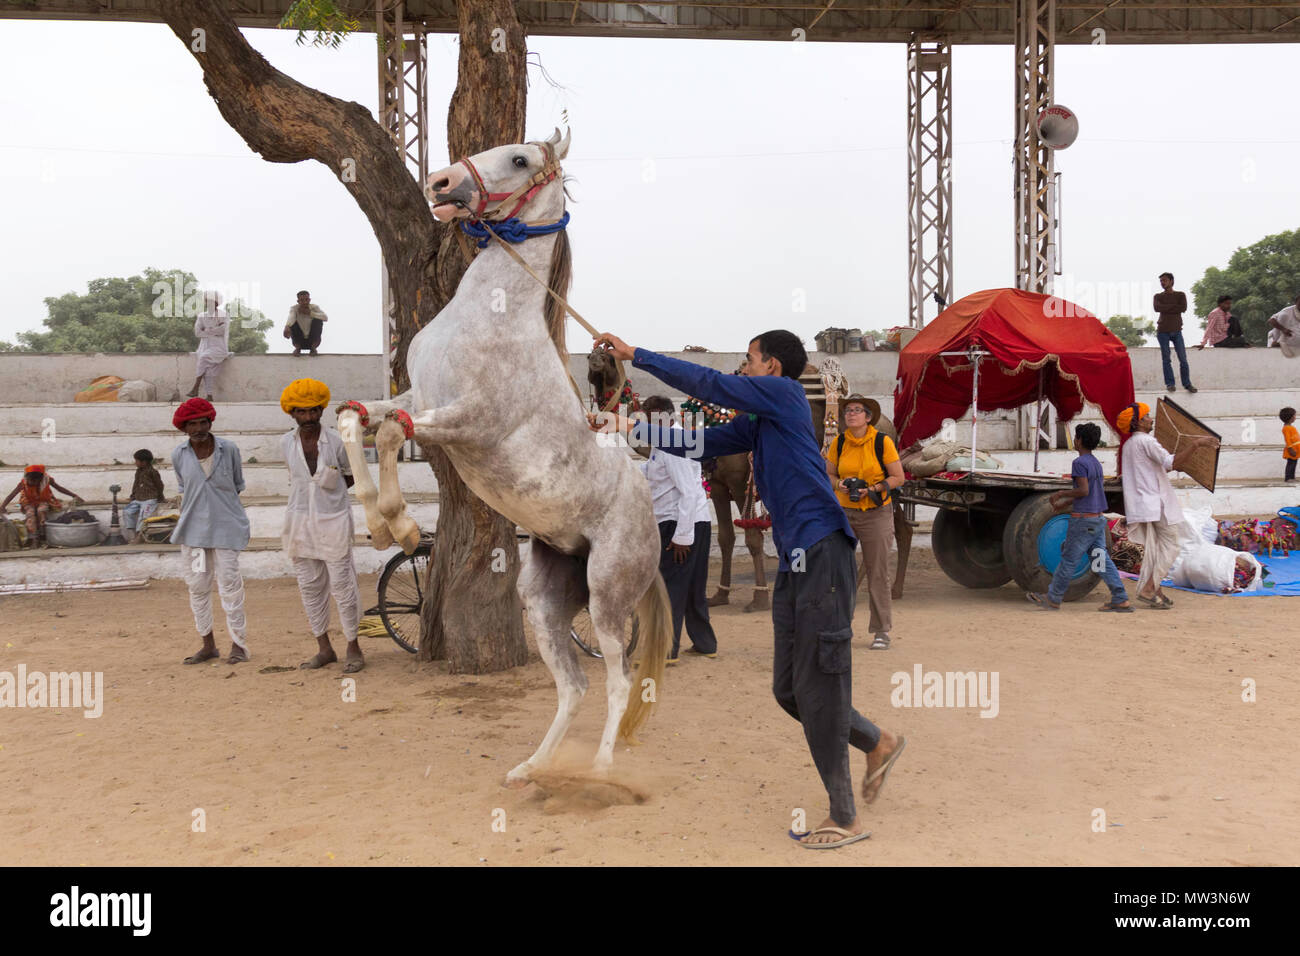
(1024, 332)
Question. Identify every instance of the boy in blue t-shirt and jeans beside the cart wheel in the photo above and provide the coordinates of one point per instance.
(1087, 534)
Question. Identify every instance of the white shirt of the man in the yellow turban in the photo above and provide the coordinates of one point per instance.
(319, 516)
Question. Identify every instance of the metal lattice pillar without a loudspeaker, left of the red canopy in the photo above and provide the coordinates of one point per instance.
(930, 191)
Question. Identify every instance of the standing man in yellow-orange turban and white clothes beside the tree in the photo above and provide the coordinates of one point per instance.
(318, 535)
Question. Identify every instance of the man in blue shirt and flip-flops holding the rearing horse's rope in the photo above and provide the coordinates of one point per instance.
(816, 583)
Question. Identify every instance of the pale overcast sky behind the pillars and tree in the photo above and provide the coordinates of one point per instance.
(716, 181)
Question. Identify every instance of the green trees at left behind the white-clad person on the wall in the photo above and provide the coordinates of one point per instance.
(153, 313)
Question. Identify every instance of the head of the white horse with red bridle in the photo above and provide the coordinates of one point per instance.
(506, 181)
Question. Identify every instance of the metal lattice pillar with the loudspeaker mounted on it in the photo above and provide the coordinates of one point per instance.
(1035, 187)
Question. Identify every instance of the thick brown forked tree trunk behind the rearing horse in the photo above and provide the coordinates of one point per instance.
(471, 615)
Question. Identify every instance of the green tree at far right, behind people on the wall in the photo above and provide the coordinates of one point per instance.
(1262, 279)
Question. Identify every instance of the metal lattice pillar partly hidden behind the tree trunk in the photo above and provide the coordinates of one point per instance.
(405, 114)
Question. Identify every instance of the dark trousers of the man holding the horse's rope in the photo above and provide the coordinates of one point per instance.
(812, 667)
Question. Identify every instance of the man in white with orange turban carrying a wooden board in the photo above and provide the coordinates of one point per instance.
(1151, 509)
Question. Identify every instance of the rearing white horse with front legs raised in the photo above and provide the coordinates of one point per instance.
(523, 445)
